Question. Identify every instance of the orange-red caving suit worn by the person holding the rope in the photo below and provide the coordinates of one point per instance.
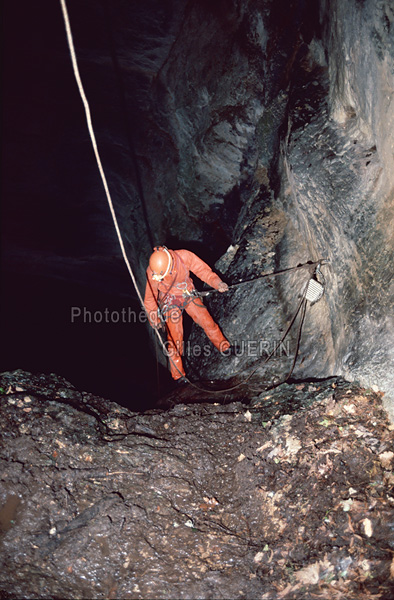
(172, 294)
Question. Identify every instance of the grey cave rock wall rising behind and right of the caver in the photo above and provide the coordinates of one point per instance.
(278, 147)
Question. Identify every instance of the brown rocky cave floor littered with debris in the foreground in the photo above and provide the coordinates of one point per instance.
(290, 496)
